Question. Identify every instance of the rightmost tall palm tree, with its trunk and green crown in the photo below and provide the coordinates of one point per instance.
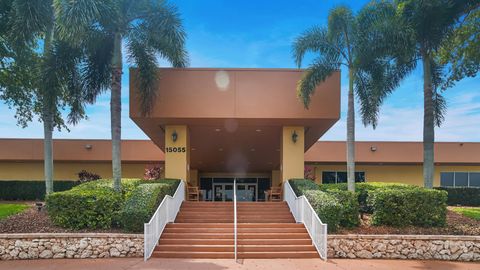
(420, 28)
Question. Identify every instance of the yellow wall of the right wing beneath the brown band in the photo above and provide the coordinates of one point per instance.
(408, 174)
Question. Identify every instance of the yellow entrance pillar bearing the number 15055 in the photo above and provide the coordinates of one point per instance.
(177, 163)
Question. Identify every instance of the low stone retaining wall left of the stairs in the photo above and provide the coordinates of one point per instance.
(70, 245)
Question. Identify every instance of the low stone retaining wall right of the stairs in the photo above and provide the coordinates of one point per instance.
(422, 247)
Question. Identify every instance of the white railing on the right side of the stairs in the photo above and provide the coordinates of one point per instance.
(303, 213)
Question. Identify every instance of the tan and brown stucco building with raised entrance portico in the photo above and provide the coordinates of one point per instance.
(209, 126)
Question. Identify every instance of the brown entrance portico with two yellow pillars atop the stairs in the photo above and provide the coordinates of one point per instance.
(215, 125)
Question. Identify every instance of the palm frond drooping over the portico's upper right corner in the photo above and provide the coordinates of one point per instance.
(321, 68)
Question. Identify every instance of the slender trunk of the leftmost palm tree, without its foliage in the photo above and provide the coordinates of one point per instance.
(48, 117)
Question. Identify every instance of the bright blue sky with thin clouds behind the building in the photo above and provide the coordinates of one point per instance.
(259, 34)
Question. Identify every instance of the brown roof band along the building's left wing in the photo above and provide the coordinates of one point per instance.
(79, 150)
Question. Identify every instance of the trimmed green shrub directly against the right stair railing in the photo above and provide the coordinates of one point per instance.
(327, 207)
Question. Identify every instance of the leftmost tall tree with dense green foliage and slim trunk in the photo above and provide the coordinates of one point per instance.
(42, 71)
